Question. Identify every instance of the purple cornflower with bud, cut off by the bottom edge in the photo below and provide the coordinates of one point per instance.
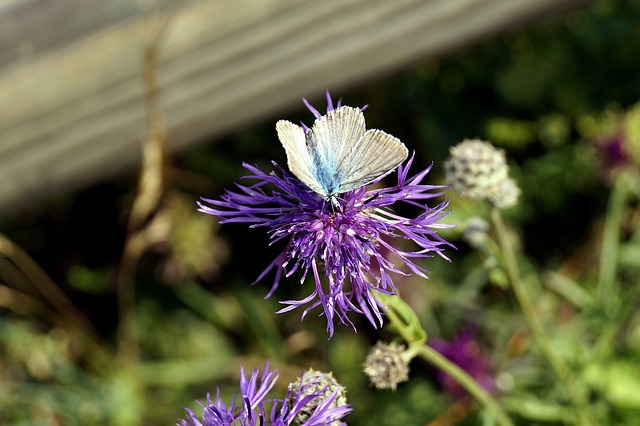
(253, 410)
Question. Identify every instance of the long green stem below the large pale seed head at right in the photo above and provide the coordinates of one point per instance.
(539, 335)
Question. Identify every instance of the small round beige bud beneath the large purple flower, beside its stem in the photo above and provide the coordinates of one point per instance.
(385, 366)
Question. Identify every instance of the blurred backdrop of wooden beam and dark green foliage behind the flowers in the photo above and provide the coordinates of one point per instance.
(121, 304)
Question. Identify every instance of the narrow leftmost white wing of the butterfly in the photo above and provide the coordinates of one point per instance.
(299, 159)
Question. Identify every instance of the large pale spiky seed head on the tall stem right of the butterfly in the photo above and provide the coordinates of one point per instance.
(479, 171)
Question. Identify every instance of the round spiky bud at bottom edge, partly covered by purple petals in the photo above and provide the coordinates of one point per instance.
(313, 390)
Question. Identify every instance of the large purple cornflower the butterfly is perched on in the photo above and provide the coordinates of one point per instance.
(344, 240)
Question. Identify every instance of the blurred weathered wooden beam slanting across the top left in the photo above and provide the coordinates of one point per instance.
(72, 105)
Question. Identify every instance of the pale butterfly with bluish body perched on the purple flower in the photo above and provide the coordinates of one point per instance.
(337, 154)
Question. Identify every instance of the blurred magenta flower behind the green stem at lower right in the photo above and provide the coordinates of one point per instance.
(465, 352)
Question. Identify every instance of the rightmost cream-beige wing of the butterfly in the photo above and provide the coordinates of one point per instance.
(374, 155)
